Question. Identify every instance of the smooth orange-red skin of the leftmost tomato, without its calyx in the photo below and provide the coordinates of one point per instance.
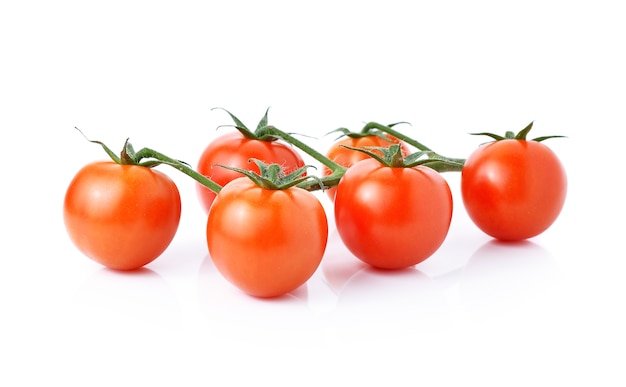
(121, 216)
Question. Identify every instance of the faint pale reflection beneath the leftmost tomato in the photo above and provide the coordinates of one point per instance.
(125, 297)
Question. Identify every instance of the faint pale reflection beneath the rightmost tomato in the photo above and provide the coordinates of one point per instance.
(499, 276)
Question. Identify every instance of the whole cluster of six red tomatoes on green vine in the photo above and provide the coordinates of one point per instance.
(266, 232)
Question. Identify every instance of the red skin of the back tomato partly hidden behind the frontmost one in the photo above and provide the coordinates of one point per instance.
(235, 150)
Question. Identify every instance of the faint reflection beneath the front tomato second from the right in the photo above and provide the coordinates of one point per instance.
(371, 298)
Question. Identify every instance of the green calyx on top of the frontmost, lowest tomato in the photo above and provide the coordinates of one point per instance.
(273, 177)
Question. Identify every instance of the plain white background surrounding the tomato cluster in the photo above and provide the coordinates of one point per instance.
(545, 312)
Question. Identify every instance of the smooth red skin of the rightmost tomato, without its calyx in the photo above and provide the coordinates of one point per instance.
(513, 189)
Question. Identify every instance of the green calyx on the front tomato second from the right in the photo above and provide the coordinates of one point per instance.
(393, 158)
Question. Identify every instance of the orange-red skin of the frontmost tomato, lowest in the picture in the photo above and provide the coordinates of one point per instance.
(266, 242)
